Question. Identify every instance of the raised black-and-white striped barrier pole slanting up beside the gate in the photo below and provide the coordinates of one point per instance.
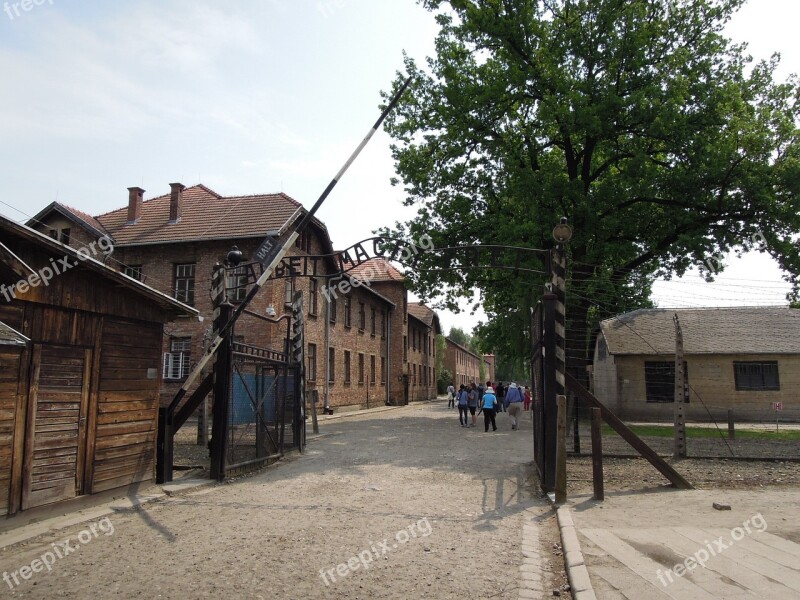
(282, 252)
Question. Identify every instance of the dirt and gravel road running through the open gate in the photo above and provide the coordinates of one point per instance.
(398, 504)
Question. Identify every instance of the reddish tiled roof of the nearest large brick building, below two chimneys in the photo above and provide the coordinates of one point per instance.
(205, 215)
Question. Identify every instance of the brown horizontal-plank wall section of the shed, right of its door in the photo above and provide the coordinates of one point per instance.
(127, 405)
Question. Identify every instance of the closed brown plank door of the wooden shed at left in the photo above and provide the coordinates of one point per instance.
(55, 444)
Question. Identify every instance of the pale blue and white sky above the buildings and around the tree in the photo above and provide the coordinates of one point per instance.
(250, 97)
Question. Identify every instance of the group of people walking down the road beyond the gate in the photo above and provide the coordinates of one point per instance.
(473, 399)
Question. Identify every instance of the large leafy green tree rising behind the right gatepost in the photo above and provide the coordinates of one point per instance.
(657, 137)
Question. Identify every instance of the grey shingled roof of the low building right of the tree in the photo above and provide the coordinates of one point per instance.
(737, 330)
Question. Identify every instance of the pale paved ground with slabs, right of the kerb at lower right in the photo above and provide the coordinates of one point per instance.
(674, 544)
